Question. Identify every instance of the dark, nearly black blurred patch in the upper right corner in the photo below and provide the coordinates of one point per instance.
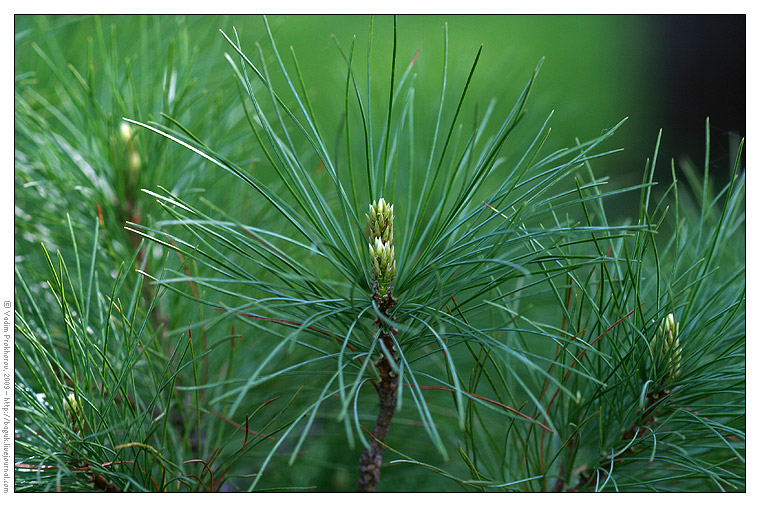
(704, 71)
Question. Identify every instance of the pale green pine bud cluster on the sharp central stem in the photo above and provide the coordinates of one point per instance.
(381, 250)
